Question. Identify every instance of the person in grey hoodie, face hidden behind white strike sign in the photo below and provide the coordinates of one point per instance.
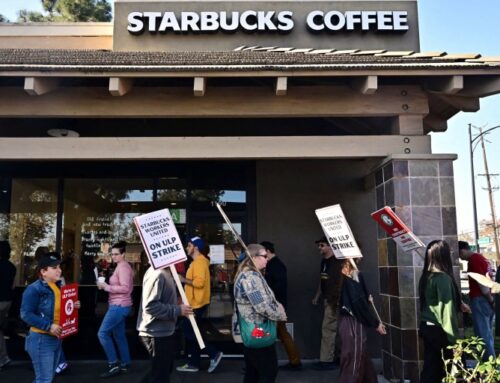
(158, 313)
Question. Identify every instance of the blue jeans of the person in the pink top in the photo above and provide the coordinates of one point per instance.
(113, 324)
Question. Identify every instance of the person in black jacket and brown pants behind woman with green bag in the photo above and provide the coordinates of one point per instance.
(276, 278)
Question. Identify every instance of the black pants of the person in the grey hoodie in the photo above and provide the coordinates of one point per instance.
(162, 352)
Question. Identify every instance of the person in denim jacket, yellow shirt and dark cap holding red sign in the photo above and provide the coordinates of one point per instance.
(41, 309)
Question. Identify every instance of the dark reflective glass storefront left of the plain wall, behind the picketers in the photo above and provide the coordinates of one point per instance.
(82, 217)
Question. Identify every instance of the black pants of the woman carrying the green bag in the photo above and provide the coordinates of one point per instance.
(261, 364)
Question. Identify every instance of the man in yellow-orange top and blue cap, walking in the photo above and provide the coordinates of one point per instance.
(197, 288)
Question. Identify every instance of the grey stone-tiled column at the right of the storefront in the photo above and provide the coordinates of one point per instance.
(421, 193)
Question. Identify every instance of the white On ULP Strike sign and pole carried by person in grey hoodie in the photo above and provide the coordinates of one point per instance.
(164, 249)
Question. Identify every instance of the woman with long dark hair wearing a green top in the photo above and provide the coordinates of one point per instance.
(440, 303)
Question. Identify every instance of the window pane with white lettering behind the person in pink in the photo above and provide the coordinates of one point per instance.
(98, 213)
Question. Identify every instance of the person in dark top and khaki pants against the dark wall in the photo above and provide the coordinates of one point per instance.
(329, 288)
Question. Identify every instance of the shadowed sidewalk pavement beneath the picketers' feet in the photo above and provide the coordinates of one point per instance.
(229, 371)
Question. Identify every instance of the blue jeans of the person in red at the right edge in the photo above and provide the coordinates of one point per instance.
(482, 319)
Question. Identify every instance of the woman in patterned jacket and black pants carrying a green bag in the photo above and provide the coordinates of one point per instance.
(255, 303)
